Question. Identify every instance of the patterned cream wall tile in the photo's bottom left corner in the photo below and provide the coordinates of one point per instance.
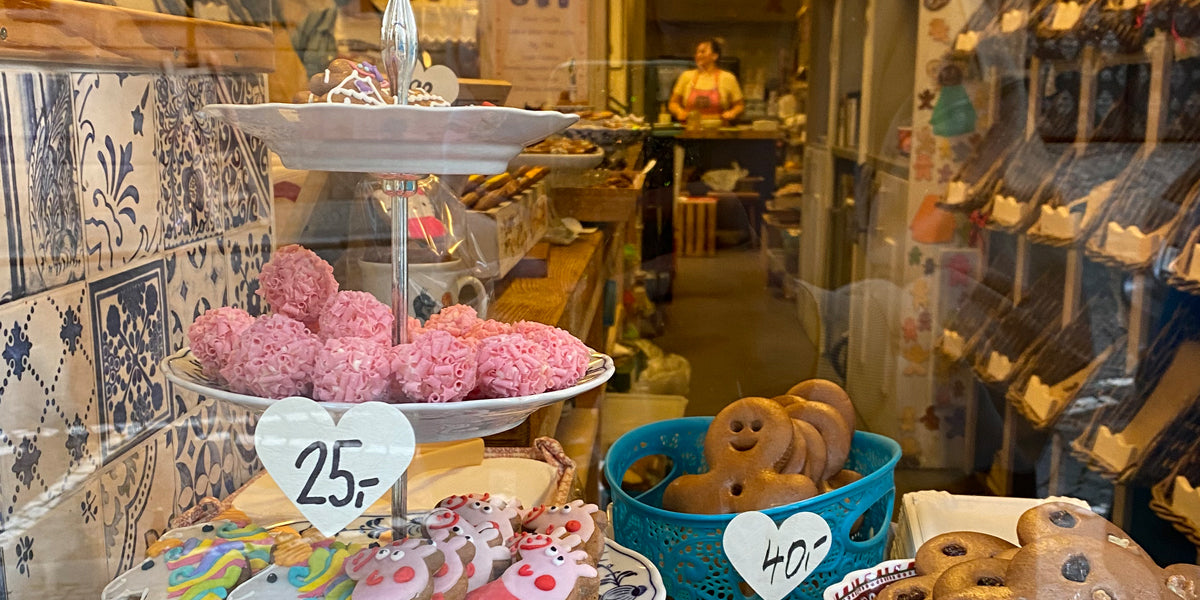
(62, 555)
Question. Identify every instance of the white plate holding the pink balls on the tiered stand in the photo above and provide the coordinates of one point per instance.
(431, 422)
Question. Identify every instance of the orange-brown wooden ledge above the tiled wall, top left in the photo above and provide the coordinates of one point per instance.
(92, 35)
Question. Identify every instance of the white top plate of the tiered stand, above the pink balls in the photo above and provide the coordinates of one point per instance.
(447, 141)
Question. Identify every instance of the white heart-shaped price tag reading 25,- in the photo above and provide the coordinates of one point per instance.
(333, 472)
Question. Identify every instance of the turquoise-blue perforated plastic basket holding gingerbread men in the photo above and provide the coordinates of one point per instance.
(687, 548)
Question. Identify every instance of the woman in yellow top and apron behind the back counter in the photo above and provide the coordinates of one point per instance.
(707, 89)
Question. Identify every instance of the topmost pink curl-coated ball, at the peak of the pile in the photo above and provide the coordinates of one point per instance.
(298, 284)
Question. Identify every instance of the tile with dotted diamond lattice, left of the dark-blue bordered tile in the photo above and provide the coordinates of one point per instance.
(49, 410)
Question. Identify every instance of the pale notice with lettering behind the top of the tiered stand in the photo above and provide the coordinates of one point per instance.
(541, 46)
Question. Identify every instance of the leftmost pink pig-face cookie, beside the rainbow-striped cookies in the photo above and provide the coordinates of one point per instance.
(401, 571)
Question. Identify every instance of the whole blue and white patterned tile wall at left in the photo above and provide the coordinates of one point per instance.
(127, 217)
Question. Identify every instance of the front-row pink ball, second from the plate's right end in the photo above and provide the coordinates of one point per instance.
(511, 365)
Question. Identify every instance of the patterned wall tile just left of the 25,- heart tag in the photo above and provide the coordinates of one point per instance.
(206, 461)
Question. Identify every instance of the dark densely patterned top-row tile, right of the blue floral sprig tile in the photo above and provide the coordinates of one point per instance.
(189, 173)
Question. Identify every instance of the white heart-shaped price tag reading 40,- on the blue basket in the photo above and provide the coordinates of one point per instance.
(776, 560)
